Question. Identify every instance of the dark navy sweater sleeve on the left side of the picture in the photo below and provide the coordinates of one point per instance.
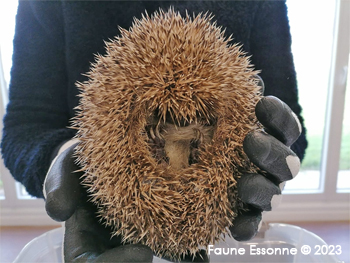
(37, 115)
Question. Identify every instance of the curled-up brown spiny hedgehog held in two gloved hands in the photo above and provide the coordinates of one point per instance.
(161, 123)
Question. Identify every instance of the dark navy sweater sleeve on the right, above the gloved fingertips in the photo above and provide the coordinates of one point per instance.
(271, 48)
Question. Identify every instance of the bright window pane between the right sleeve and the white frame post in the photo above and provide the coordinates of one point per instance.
(312, 59)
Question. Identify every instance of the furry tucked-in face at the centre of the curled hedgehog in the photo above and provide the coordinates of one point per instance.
(175, 139)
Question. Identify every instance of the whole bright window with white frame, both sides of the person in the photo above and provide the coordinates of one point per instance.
(320, 34)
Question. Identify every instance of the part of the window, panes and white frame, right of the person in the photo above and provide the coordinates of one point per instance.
(315, 196)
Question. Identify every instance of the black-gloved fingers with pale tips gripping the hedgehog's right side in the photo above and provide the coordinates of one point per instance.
(270, 151)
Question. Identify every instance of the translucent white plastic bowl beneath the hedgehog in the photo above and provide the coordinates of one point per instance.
(280, 243)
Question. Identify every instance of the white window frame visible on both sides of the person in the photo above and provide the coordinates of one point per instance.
(326, 205)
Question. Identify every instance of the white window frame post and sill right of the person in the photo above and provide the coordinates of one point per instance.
(327, 204)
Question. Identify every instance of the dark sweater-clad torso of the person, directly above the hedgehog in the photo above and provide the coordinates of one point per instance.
(88, 24)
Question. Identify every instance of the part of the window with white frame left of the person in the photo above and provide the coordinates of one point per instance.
(17, 207)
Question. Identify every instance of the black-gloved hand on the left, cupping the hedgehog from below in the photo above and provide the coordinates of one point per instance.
(85, 238)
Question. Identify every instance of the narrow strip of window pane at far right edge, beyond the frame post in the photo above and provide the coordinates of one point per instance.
(343, 183)
